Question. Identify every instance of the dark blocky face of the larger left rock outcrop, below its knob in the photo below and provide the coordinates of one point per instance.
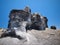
(17, 16)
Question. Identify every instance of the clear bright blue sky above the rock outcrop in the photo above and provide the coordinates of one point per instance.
(48, 8)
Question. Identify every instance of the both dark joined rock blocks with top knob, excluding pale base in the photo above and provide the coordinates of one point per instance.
(34, 21)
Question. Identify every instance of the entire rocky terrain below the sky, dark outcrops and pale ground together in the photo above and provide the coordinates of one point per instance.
(23, 29)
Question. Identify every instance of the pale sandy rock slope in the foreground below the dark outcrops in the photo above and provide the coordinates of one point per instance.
(35, 37)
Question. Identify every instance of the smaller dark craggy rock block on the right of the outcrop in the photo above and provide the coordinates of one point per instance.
(39, 22)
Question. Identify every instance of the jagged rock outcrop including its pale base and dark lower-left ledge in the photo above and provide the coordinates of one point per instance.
(22, 20)
